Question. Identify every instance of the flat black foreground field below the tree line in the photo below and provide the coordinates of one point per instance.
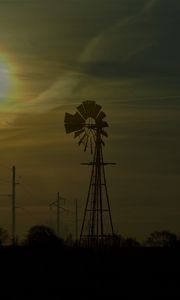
(60, 273)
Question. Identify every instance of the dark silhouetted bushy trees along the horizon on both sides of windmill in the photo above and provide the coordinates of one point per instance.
(41, 235)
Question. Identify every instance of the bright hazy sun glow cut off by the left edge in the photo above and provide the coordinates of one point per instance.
(8, 82)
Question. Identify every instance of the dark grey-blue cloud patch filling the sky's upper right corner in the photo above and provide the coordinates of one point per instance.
(147, 45)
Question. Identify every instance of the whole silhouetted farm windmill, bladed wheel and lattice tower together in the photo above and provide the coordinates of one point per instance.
(88, 126)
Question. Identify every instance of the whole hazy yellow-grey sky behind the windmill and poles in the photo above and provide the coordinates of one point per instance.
(123, 54)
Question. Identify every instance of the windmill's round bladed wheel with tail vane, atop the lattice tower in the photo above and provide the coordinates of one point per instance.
(85, 123)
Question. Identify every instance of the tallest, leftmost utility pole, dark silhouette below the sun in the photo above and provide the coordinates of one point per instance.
(13, 205)
